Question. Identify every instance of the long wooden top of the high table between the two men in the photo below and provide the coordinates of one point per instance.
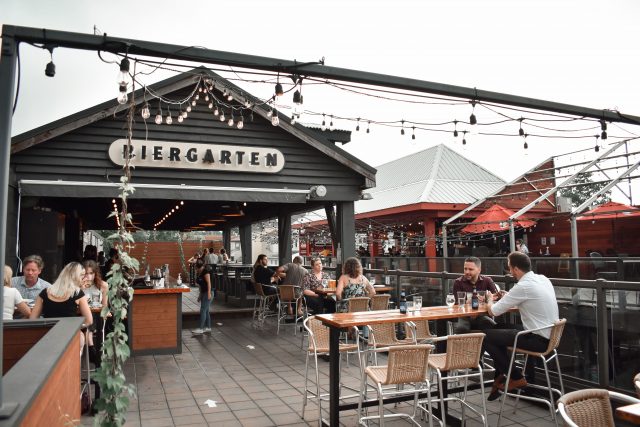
(347, 320)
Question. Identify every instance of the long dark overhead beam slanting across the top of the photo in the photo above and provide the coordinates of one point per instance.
(315, 69)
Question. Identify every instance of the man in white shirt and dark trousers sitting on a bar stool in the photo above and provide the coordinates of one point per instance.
(535, 299)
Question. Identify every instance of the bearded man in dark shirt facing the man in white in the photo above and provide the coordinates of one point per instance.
(466, 283)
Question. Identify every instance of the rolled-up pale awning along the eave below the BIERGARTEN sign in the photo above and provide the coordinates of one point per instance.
(43, 188)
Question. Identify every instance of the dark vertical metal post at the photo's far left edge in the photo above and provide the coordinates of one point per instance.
(7, 75)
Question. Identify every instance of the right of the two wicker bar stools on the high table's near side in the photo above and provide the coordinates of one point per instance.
(462, 354)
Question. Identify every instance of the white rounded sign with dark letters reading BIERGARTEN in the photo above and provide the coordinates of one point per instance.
(184, 155)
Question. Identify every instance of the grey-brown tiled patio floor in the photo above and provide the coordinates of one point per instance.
(259, 386)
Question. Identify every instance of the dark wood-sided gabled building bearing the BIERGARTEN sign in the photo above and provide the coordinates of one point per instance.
(64, 176)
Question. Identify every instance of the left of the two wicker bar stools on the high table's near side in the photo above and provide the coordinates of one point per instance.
(406, 365)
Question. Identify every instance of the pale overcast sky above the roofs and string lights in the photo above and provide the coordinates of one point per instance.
(579, 52)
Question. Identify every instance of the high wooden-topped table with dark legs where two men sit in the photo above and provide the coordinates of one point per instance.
(338, 321)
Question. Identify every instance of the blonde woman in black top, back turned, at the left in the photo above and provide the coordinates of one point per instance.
(65, 296)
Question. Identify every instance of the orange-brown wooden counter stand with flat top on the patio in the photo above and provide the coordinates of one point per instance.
(155, 321)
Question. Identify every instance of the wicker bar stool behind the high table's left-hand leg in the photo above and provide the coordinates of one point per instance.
(319, 344)
